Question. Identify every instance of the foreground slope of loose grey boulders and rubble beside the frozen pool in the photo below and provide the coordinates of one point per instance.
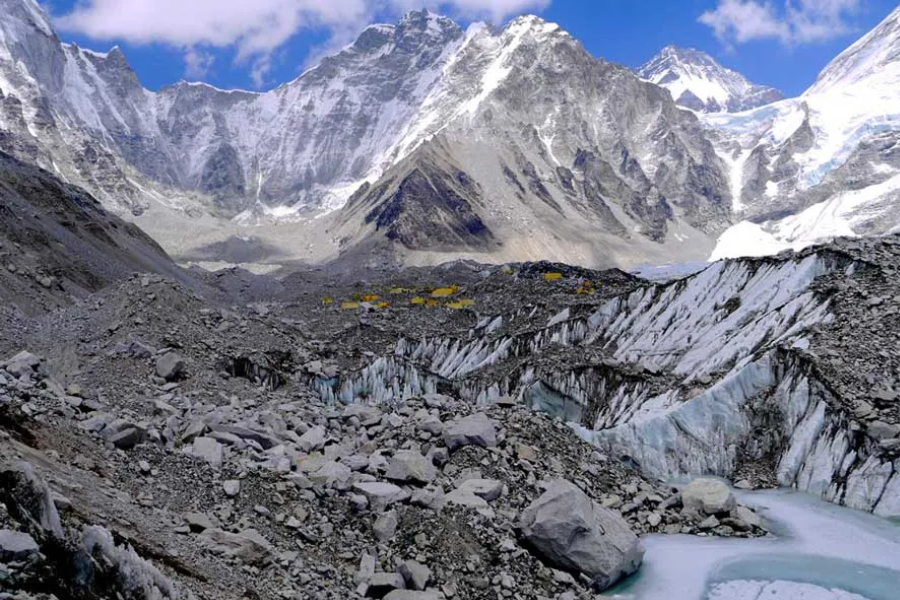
(272, 496)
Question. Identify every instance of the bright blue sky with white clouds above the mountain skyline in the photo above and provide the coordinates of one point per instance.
(258, 44)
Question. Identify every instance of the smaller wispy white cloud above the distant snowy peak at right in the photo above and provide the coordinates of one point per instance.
(789, 21)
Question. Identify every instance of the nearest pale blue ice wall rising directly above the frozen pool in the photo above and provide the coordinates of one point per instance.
(773, 406)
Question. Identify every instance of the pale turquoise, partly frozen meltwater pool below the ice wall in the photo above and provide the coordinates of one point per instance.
(818, 551)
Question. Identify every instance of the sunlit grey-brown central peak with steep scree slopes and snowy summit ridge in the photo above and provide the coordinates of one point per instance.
(559, 155)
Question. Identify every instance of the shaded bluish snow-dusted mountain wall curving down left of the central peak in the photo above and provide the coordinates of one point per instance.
(85, 116)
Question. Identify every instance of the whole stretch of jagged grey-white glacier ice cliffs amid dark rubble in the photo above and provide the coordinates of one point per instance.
(697, 375)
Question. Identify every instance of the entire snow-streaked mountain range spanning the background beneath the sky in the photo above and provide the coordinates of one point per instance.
(423, 142)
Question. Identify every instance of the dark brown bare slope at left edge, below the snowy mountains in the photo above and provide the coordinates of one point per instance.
(57, 243)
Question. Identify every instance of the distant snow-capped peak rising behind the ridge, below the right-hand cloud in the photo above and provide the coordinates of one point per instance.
(698, 82)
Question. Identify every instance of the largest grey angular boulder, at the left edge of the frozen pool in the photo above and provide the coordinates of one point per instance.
(574, 534)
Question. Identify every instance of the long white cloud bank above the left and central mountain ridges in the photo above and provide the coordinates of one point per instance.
(256, 28)
